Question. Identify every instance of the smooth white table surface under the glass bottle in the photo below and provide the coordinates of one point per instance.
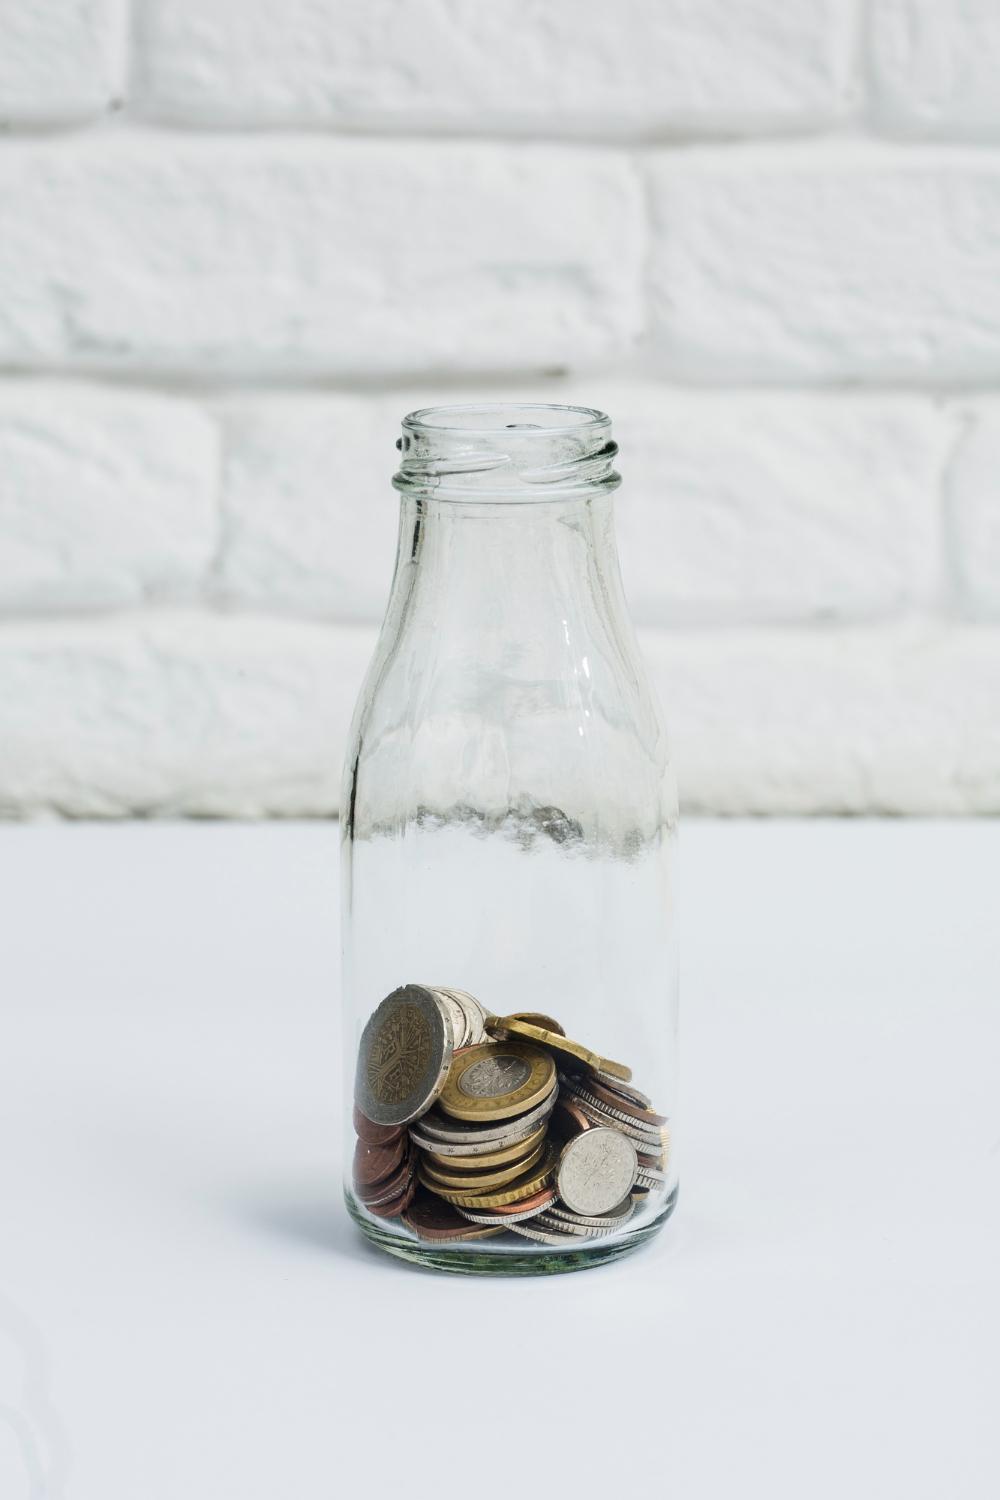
(187, 1312)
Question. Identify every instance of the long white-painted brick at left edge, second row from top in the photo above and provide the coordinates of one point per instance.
(311, 257)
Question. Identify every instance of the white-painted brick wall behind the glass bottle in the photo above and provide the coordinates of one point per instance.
(238, 241)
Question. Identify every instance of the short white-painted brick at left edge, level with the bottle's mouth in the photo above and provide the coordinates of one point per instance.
(107, 499)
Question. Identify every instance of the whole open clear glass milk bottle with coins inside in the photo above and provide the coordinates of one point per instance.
(507, 827)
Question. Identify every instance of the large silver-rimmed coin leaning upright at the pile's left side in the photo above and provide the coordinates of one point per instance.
(404, 1058)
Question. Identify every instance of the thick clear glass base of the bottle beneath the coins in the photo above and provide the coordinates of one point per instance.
(515, 1262)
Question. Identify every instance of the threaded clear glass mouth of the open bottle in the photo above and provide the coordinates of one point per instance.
(507, 452)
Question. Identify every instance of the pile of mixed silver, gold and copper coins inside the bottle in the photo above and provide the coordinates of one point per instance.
(473, 1126)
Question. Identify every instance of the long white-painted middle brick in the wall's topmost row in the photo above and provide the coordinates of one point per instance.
(642, 67)
